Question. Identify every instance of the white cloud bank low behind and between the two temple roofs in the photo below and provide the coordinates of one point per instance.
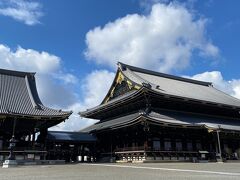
(57, 88)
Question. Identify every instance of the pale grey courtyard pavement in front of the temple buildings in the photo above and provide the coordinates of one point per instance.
(124, 171)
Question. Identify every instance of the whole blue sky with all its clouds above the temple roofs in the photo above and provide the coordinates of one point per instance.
(74, 45)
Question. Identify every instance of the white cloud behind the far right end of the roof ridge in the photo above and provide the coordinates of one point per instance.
(231, 87)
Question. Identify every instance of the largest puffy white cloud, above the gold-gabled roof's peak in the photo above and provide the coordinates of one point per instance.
(163, 40)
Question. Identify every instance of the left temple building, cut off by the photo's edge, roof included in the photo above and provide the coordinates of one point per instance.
(22, 115)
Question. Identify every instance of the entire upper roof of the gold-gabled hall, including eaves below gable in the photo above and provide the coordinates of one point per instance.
(169, 85)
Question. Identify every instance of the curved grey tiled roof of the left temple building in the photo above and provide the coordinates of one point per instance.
(19, 96)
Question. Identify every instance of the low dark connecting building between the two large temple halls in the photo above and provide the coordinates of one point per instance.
(70, 146)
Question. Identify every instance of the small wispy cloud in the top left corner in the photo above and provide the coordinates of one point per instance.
(24, 11)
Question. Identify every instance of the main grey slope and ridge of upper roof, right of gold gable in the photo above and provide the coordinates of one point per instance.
(178, 86)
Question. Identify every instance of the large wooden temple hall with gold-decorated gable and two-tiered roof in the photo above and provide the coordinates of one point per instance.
(148, 116)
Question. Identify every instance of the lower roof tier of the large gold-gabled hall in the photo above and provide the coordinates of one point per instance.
(169, 118)
